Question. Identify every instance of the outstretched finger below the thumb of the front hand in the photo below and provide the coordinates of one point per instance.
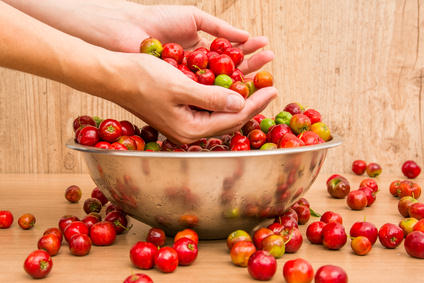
(220, 123)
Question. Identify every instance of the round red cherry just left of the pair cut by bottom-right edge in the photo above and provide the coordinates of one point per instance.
(262, 265)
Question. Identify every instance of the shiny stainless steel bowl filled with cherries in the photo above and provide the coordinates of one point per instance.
(214, 193)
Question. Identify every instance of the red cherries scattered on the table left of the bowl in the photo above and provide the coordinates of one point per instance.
(79, 234)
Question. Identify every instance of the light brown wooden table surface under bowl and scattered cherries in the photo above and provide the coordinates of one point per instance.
(43, 195)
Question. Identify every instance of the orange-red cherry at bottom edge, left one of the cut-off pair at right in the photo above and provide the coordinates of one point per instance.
(298, 271)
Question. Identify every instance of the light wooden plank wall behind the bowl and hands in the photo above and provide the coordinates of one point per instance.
(361, 63)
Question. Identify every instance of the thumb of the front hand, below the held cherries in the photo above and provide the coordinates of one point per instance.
(213, 98)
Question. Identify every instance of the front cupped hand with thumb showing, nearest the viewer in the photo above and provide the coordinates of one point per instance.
(160, 94)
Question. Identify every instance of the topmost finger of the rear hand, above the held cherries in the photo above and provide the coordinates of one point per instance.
(218, 27)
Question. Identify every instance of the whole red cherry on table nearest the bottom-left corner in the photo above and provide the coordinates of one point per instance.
(38, 264)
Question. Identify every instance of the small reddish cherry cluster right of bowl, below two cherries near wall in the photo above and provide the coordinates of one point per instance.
(339, 187)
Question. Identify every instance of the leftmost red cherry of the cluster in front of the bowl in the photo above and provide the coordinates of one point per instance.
(142, 255)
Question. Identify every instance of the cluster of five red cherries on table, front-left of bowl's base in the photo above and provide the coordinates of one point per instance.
(152, 252)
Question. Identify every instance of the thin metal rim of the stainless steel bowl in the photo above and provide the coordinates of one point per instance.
(336, 141)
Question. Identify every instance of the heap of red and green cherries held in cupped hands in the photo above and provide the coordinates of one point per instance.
(214, 66)
